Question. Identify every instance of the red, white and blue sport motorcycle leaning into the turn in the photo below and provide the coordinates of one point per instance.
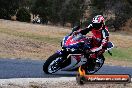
(73, 55)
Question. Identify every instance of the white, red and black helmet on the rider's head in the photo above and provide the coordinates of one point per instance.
(98, 22)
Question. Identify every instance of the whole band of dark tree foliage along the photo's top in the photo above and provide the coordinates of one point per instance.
(70, 11)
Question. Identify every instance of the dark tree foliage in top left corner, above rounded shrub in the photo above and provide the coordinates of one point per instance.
(9, 8)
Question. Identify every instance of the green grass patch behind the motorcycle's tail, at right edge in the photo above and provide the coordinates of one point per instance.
(124, 54)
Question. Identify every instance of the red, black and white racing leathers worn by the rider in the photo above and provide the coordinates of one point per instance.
(100, 38)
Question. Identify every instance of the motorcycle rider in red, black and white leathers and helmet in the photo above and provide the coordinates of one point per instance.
(100, 36)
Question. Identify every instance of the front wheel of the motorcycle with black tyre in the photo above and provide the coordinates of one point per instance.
(52, 64)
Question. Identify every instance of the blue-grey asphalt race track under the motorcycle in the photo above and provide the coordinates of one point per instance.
(15, 68)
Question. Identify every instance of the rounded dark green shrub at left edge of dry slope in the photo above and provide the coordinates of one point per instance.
(23, 15)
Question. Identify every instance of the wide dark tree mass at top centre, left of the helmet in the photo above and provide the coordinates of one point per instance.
(59, 11)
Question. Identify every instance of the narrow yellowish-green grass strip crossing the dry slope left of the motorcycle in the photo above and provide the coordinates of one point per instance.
(33, 36)
